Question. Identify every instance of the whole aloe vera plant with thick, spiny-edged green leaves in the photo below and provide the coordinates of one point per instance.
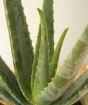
(36, 80)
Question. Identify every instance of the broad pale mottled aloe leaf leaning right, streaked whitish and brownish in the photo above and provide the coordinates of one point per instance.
(63, 79)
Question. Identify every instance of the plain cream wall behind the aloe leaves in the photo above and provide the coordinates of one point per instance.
(68, 13)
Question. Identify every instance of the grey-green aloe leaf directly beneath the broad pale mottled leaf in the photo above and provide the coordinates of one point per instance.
(75, 86)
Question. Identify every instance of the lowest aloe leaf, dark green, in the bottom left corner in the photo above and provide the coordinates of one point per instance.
(7, 97)
